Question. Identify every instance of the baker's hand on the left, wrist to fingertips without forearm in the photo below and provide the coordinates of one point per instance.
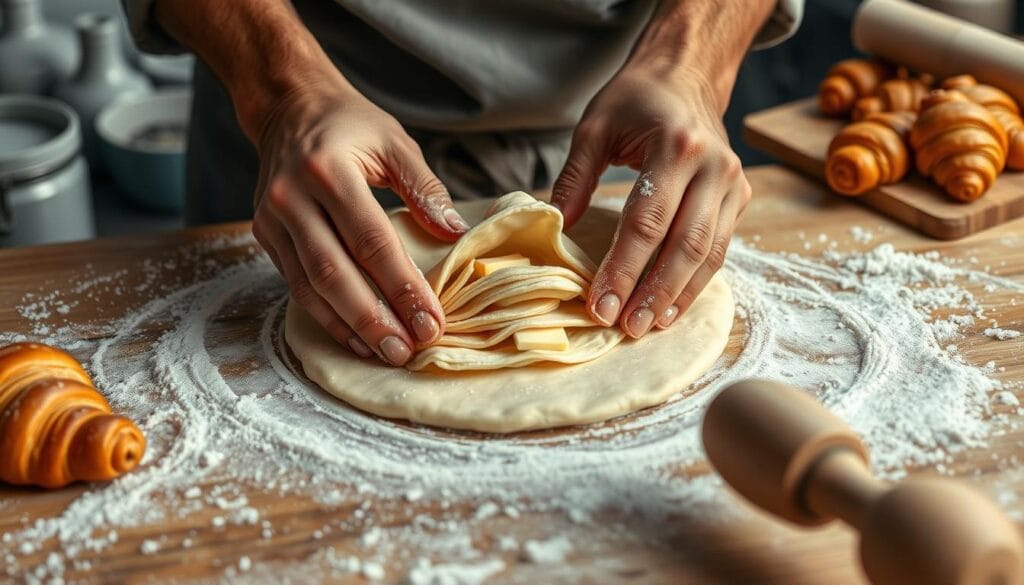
(321, 150)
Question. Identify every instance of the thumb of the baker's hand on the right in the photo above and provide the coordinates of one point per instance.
(576, 185)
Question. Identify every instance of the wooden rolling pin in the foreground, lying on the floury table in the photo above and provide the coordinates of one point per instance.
(786, 453)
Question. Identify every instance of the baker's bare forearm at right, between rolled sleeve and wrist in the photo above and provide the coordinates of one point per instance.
(704, 38)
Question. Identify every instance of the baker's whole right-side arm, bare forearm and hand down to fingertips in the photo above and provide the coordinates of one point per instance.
(662, 116)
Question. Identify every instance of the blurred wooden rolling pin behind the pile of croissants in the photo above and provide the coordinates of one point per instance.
(930, 41)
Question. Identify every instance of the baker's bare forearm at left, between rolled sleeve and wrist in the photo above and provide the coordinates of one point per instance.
(260, 51)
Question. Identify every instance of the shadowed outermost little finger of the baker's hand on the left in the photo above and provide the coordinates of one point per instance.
(280, 247)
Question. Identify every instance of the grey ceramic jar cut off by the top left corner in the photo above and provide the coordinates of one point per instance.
(35, 56)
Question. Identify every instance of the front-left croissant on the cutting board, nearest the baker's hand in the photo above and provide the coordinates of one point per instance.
(870, 153)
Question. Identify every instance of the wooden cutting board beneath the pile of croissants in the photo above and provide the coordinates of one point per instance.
(797, 135)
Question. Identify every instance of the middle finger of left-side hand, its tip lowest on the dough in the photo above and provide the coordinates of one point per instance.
(334, 277)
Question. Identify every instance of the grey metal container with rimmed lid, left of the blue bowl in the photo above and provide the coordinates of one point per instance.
(45, 180)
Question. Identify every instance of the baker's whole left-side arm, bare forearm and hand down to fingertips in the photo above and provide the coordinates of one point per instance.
(322, 146)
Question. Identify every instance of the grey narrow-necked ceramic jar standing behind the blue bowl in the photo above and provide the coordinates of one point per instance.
(104, 77)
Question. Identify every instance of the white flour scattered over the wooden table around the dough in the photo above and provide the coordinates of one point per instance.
(871, 335)
